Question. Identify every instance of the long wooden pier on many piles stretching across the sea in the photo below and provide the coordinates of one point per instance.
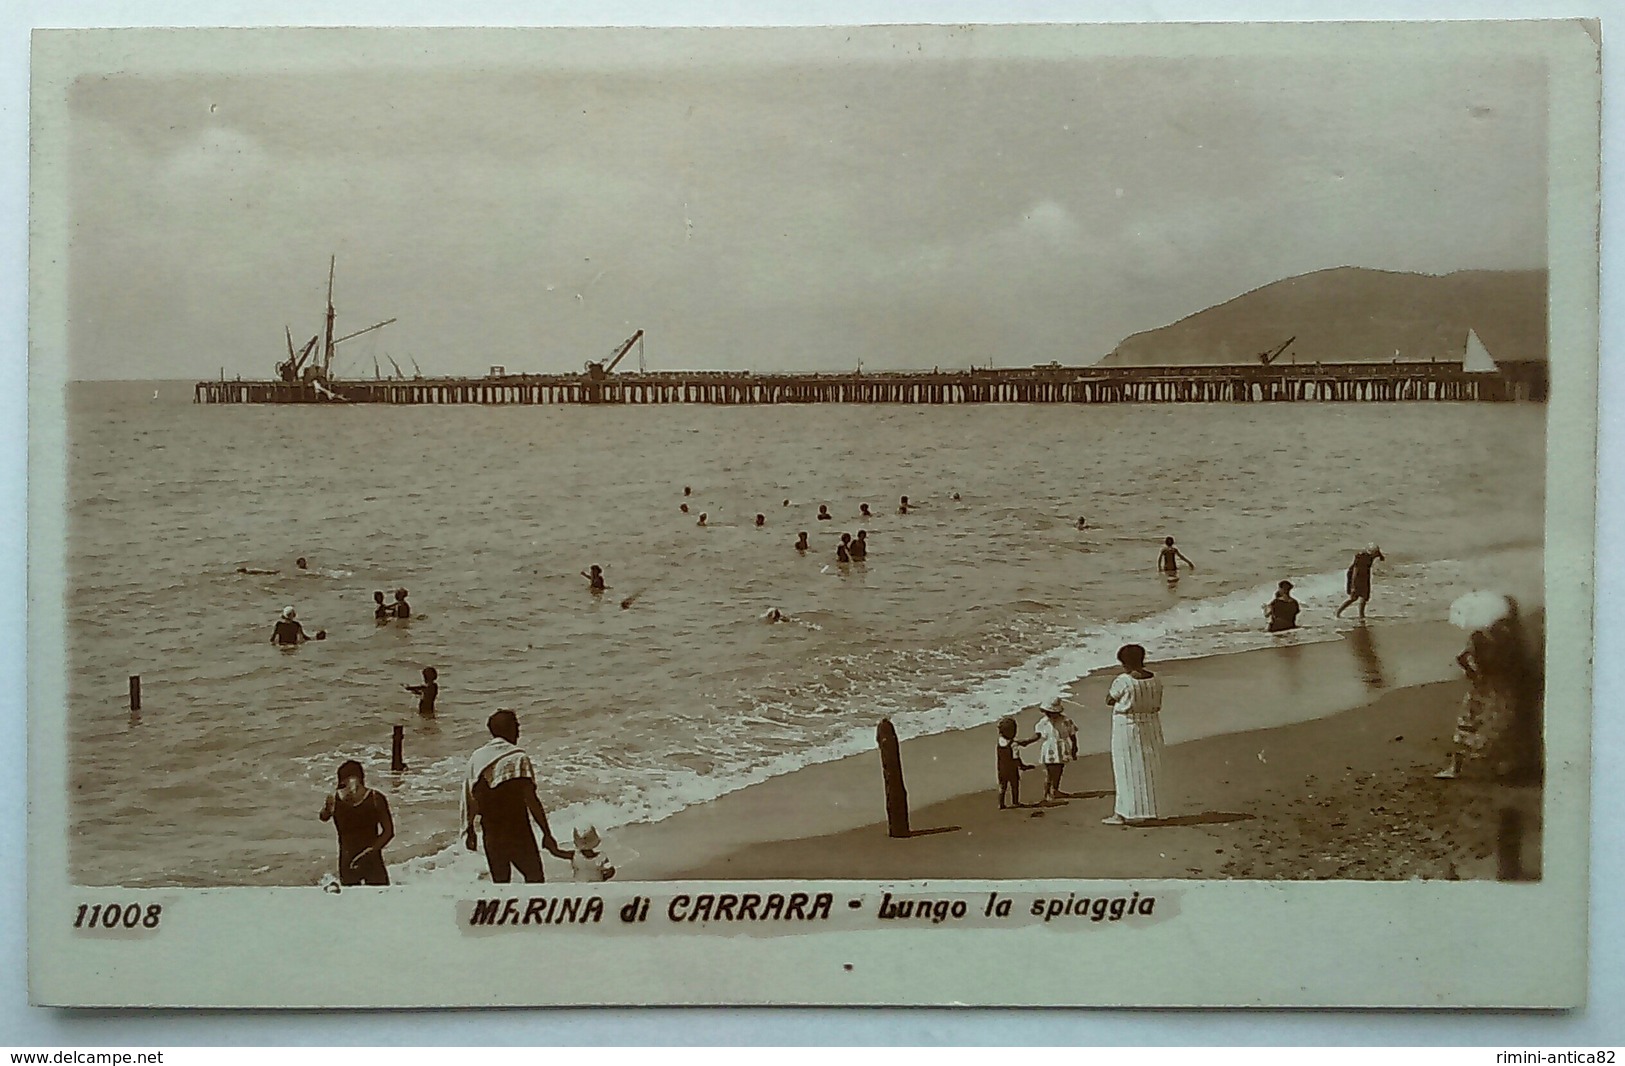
(1341, 383)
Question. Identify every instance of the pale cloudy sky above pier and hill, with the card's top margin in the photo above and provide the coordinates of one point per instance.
(794, 202)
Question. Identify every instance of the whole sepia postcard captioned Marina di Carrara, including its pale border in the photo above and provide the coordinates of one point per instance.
(813, 516)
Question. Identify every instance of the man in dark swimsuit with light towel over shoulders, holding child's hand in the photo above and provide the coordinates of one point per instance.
(501, 795)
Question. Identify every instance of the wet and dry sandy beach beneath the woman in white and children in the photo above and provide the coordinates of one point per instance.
(1333, 781)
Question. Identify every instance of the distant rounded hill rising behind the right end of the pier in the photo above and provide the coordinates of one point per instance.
(1351, 314)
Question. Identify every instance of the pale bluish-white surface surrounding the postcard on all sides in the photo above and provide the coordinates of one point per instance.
(659, 1026)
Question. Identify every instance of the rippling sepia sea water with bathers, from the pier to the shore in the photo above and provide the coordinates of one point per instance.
(966, 609)
